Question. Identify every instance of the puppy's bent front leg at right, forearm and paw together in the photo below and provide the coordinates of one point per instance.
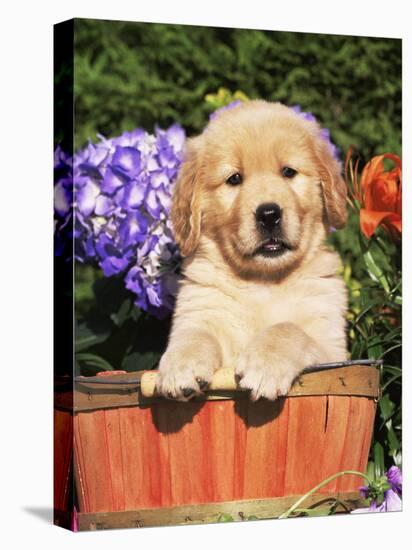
(269, 364)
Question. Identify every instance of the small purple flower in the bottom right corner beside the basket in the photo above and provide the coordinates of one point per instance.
(392, 498)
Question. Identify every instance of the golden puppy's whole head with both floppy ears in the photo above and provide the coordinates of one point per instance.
(262, 184)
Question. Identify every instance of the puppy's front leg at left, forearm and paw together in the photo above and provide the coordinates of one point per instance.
(188, 364)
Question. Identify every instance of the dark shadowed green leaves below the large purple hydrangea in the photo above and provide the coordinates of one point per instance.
(110, 330)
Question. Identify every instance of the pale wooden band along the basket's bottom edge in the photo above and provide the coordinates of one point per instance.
(209, 513)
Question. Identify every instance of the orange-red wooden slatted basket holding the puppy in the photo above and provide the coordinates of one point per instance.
(149, 461)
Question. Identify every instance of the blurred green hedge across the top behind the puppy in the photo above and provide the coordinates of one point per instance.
(139, 74)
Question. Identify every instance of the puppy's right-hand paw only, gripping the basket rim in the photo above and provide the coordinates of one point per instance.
(266, 375)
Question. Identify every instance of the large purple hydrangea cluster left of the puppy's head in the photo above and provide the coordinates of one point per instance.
(114, 198)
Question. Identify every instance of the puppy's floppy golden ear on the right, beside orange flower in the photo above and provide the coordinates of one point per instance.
(333, 186)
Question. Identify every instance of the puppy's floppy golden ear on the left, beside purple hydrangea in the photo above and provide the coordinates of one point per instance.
(185, 212)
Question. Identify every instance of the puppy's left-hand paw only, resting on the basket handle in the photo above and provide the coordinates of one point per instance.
(182, 377)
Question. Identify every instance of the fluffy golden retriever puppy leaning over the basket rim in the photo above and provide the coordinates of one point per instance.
(254, 199)
